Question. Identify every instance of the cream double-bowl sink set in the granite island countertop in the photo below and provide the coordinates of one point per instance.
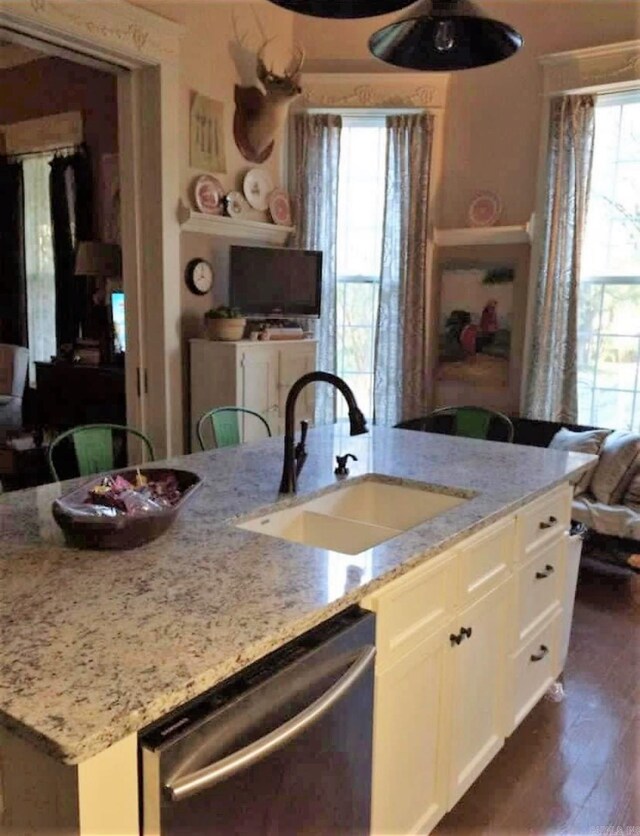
(355, 516)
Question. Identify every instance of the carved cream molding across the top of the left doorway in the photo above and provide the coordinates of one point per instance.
(133, 32)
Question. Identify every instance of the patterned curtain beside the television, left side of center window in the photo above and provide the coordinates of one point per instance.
(317, 163)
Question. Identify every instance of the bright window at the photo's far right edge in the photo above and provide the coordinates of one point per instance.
(609, 303)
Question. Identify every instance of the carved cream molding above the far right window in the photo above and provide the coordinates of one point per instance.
(610, 66)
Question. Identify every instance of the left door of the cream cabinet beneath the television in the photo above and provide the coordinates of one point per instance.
(259, 378)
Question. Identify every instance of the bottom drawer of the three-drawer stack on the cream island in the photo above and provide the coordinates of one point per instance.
(533, 669)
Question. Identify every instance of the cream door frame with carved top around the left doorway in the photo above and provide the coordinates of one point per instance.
(146, 48)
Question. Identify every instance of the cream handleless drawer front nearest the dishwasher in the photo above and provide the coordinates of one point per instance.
(412, 608)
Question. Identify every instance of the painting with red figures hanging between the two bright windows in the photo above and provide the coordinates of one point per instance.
(475, 325)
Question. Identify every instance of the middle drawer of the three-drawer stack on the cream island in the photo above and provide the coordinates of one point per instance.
(539, 585)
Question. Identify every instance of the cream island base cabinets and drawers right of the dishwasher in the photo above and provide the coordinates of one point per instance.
(467, 645)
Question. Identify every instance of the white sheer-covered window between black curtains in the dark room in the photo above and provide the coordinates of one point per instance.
(40, 270)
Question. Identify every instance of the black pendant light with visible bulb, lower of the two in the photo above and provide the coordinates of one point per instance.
(445, 35)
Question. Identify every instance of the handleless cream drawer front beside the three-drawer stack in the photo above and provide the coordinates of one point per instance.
(486, 560)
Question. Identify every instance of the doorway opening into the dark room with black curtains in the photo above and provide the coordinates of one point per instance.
(63, 295)
